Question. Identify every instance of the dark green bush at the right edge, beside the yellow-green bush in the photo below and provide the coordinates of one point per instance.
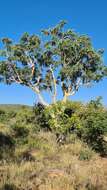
(94, 123)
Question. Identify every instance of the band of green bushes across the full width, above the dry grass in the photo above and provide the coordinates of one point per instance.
(67, 121)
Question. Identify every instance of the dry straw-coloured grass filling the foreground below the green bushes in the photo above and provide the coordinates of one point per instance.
(55, 168)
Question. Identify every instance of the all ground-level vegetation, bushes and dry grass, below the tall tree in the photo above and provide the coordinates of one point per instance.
(55, 148)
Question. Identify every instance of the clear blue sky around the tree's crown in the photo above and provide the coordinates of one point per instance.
(84, 16)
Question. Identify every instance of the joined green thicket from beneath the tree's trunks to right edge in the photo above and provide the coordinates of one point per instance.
(88, 122)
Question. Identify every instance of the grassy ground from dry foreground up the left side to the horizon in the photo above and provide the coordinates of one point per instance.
(37, 162)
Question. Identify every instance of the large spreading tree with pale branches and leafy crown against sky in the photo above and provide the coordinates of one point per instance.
(64, 59)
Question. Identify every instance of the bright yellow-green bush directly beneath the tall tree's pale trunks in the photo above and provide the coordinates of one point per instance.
(62, 118)
